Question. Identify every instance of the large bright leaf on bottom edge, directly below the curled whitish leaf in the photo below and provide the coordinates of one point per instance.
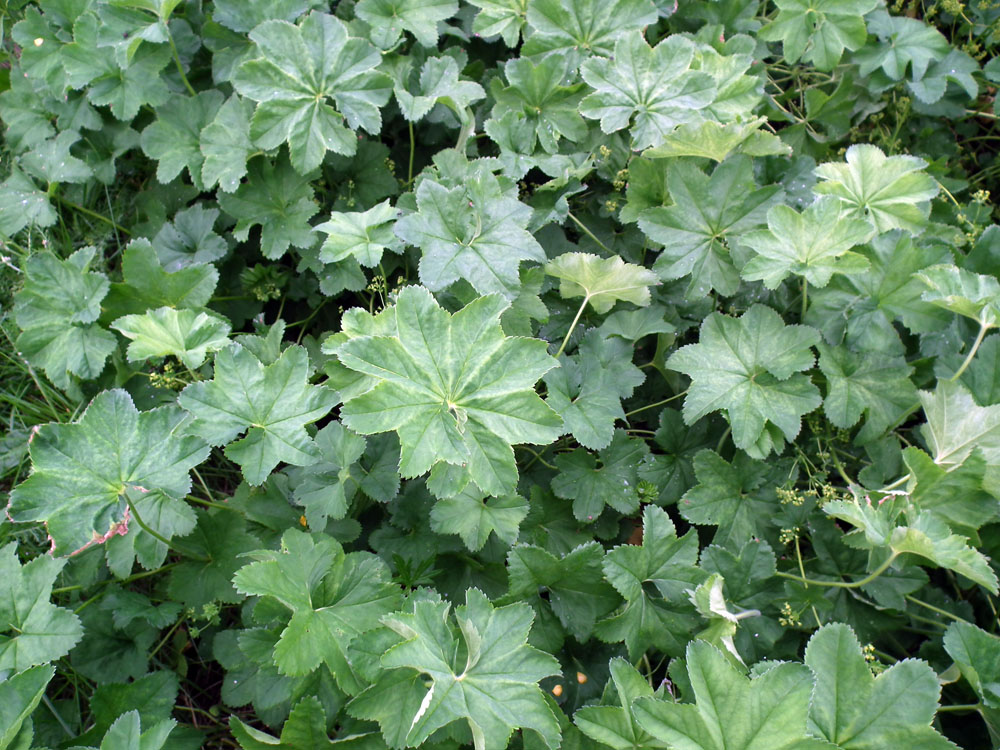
(731, 712)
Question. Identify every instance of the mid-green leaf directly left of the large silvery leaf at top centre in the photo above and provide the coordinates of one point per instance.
(537, 94)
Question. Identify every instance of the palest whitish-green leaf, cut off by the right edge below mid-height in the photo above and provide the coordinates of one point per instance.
(957, 425)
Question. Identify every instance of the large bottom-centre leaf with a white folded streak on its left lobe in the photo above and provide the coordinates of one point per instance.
(493, 687)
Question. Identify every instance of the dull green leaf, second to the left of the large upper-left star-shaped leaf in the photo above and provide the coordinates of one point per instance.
(174, 138)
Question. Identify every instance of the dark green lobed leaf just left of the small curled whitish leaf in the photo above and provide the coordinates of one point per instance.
(653, 578)
